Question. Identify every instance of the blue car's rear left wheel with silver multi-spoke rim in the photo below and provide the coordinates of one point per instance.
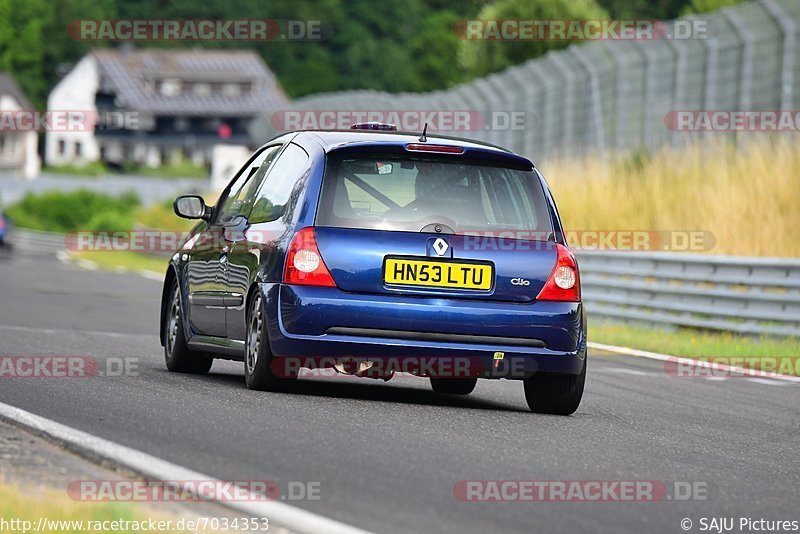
(258, 359)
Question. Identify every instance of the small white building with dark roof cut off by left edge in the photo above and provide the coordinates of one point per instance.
(18, 149)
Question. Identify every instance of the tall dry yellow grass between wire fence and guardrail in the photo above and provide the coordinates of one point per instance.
(748, 197)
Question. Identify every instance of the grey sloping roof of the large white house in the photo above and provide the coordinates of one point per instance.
(131, 75)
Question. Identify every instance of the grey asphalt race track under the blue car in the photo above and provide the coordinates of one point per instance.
(388, 455)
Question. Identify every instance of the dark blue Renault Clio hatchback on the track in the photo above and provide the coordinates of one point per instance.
(376, 252)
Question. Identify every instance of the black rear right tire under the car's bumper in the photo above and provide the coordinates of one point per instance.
(555, 394)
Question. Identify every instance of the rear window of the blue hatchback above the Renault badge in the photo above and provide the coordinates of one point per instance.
(407, 194)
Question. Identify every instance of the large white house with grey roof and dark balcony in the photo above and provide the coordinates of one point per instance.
(155, 106)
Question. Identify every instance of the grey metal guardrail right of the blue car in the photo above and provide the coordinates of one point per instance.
(758, 296)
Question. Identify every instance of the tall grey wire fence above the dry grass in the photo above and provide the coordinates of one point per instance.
(616, 96)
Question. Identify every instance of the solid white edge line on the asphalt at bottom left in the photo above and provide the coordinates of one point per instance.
(155, 468)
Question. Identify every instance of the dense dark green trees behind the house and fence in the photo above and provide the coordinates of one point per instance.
(391, 45)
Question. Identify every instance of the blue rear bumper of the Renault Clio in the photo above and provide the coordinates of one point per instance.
(317, 326)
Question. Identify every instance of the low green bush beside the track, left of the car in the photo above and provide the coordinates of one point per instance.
(57, 211)
